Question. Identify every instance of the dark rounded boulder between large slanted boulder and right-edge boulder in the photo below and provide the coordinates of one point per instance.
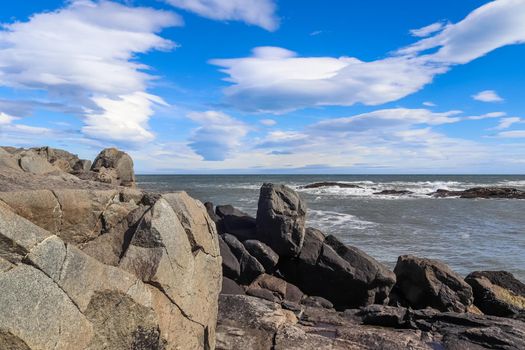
(430, 283)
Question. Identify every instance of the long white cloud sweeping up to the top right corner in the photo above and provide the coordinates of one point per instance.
(278, 80)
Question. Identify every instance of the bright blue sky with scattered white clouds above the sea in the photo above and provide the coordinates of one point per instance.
(270, 86)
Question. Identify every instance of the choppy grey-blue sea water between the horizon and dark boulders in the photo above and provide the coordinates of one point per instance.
(468, 234)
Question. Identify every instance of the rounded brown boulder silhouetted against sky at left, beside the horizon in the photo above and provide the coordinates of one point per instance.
(114, 166)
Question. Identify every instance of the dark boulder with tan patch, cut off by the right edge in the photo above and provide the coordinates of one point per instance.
(498, 293)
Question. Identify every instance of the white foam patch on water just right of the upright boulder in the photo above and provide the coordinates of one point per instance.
(334, 221)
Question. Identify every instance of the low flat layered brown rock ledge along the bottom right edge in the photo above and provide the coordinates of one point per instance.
(251, 323)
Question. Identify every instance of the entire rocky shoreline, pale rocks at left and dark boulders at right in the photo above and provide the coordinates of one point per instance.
(88, 261)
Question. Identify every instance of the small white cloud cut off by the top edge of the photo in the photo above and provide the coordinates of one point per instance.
(257, 12)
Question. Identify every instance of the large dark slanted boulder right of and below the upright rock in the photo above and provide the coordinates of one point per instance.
(344, 275)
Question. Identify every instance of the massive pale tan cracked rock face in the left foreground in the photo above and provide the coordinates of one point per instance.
(154, 287)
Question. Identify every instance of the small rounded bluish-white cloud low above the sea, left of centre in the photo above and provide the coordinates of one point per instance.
(218, 136)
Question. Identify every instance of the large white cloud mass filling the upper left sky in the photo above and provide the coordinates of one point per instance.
(84, 55)
